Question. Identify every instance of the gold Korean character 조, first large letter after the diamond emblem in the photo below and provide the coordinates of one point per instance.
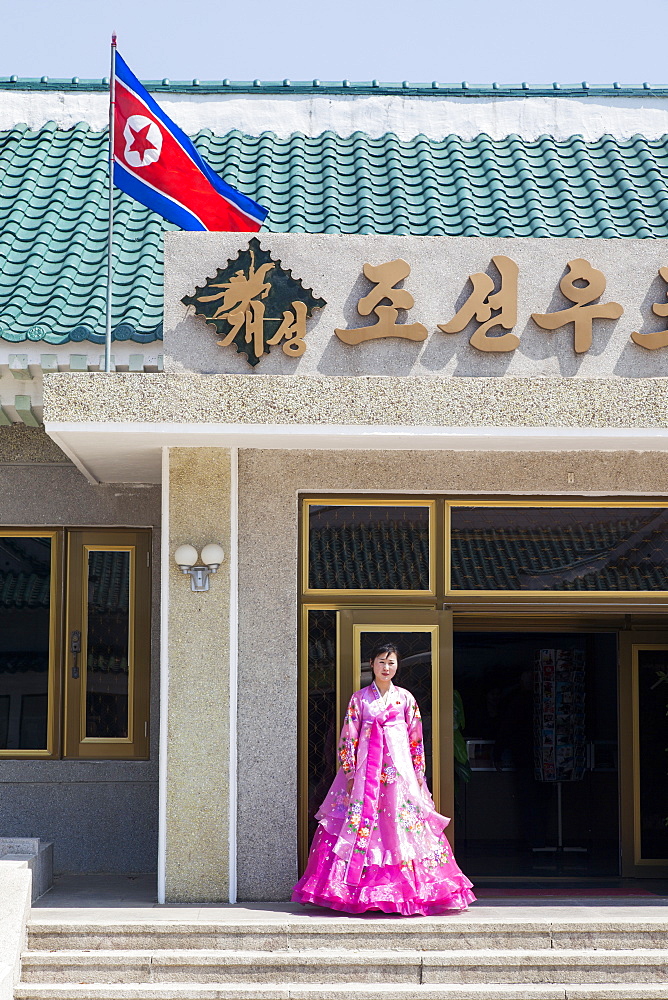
(385, 277)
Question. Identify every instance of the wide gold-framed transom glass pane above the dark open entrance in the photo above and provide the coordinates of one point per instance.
(588, 549)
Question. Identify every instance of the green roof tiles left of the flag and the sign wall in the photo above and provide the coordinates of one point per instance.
(53, 239)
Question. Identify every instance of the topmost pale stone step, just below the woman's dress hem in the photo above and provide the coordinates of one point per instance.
(418, 934)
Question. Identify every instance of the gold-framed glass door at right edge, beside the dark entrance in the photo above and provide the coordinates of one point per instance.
(644, 753)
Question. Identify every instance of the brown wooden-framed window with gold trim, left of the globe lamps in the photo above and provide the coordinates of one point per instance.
(74, 643)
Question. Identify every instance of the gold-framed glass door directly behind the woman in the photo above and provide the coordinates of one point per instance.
(424, 639)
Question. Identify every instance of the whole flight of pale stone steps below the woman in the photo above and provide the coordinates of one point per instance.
(340, 958)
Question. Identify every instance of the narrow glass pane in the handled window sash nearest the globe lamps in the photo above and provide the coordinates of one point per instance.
(108, 645)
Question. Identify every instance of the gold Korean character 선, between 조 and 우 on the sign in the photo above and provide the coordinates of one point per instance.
(490, 308)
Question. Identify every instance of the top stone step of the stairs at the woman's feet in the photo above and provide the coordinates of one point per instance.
(286, 929)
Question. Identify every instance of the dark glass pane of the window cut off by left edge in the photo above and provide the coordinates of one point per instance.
(25, 614)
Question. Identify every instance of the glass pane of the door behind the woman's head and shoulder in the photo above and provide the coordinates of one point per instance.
(414, 674)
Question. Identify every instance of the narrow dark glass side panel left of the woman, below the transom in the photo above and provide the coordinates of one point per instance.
(322, 726)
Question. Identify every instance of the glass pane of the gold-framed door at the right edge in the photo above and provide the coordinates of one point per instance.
(653, 752)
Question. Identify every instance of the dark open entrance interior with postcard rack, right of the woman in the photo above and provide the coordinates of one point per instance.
(541, 796)
